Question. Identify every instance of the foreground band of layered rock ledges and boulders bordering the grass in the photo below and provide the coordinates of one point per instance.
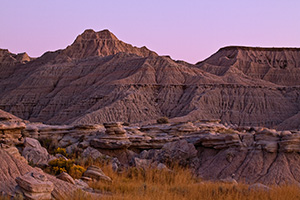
(214, 152)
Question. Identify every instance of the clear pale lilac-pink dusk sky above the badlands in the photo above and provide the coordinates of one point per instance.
(186, 30)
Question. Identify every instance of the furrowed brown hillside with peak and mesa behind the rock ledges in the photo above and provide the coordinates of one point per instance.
(100, 79)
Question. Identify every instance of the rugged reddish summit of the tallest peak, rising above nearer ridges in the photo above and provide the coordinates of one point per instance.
(102, 43)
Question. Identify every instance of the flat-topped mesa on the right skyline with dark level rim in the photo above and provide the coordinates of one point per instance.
(276, 65)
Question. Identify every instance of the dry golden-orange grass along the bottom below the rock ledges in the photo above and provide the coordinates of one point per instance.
(181, 184)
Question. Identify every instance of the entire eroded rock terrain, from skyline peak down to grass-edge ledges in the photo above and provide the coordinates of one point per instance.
(100, 98)
